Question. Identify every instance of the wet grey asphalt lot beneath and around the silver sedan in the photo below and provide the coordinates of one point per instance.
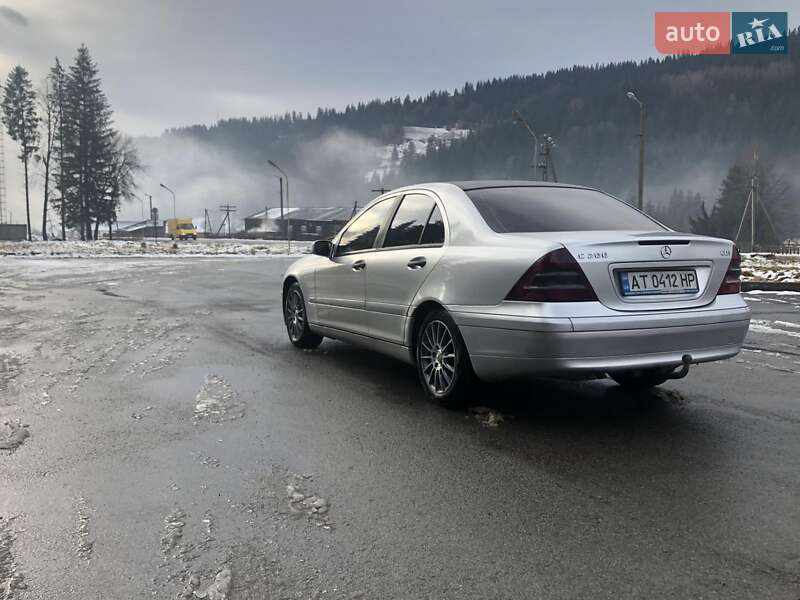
(167, 414)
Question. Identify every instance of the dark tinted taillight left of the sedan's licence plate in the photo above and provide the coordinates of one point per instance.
(556, 277)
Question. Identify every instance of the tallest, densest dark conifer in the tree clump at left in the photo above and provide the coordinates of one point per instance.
(87, 145)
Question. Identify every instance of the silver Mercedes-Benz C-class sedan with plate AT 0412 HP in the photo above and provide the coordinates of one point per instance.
(498, 279)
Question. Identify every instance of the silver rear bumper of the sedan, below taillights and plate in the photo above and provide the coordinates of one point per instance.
(509, 346)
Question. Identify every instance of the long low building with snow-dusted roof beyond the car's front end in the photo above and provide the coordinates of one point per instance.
(306, 222)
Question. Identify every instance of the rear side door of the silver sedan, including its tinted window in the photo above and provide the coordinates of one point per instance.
(409, 250)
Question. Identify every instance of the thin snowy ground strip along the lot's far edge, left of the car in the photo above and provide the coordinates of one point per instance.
(103, 248)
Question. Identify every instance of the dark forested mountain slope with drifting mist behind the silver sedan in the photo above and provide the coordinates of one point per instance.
(704, 113)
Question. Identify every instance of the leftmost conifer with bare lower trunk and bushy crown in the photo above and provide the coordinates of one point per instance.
(21, 122)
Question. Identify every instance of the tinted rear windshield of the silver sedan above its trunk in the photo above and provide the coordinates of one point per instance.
(540, 209)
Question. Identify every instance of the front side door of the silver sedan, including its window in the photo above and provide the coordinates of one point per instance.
(340, 285)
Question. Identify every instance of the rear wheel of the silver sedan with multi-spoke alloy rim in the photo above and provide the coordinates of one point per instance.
(443, 364)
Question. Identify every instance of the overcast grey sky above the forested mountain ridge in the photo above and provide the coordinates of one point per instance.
(177, 62)
